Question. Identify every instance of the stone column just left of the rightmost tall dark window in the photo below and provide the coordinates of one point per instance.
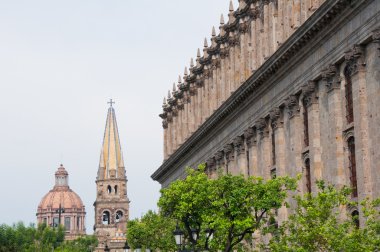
(332, 81)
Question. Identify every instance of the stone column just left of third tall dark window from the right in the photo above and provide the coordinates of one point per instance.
(264, 148)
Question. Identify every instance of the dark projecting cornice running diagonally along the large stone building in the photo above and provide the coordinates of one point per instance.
(293, 46)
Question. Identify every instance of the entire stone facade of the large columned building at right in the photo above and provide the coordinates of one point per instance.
(287, 87)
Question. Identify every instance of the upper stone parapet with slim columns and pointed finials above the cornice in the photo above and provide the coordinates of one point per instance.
(252, 34)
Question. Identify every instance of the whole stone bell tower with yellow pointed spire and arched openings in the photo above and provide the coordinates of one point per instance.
(112, 203)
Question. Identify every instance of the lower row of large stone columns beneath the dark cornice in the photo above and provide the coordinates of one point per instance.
(252, 153)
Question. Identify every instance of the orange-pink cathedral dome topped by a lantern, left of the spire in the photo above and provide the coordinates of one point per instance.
(62, 206)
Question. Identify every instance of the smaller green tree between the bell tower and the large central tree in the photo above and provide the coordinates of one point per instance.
(152, 231)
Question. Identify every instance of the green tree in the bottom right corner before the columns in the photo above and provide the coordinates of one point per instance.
(317, 224)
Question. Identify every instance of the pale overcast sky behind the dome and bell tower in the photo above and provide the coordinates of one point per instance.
(60, 62)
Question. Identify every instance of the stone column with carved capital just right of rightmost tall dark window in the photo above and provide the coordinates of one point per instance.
(356, 69)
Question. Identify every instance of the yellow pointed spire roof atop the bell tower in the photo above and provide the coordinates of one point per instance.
(111, 157)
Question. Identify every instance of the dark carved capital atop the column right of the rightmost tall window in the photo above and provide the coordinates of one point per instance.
(354, 61)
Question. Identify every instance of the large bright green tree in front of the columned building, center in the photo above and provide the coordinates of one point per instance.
(233, 207)
